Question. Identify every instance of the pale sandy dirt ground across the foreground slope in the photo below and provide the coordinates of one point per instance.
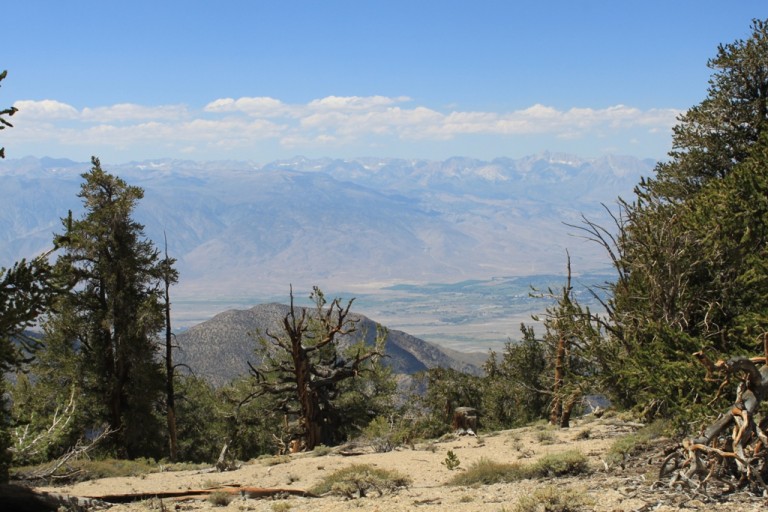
(611, 489)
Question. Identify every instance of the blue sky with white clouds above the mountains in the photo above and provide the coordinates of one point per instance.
(257, 80)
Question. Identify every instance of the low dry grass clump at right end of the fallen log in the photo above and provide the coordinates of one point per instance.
(358, 480)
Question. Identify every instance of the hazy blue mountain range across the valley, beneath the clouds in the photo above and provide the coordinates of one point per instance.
(243, 232)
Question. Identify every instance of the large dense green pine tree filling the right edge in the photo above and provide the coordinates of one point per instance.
(692, 249)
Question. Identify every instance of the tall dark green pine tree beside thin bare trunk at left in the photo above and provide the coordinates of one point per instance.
(109, 323)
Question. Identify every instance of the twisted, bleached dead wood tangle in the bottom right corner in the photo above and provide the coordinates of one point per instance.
(733, 450)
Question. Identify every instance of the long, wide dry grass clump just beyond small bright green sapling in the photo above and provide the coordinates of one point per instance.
(487, 472)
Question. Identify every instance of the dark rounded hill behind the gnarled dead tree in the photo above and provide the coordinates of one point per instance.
(220, 348)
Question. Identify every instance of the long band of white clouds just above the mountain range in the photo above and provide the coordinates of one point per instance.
(365, 125)
